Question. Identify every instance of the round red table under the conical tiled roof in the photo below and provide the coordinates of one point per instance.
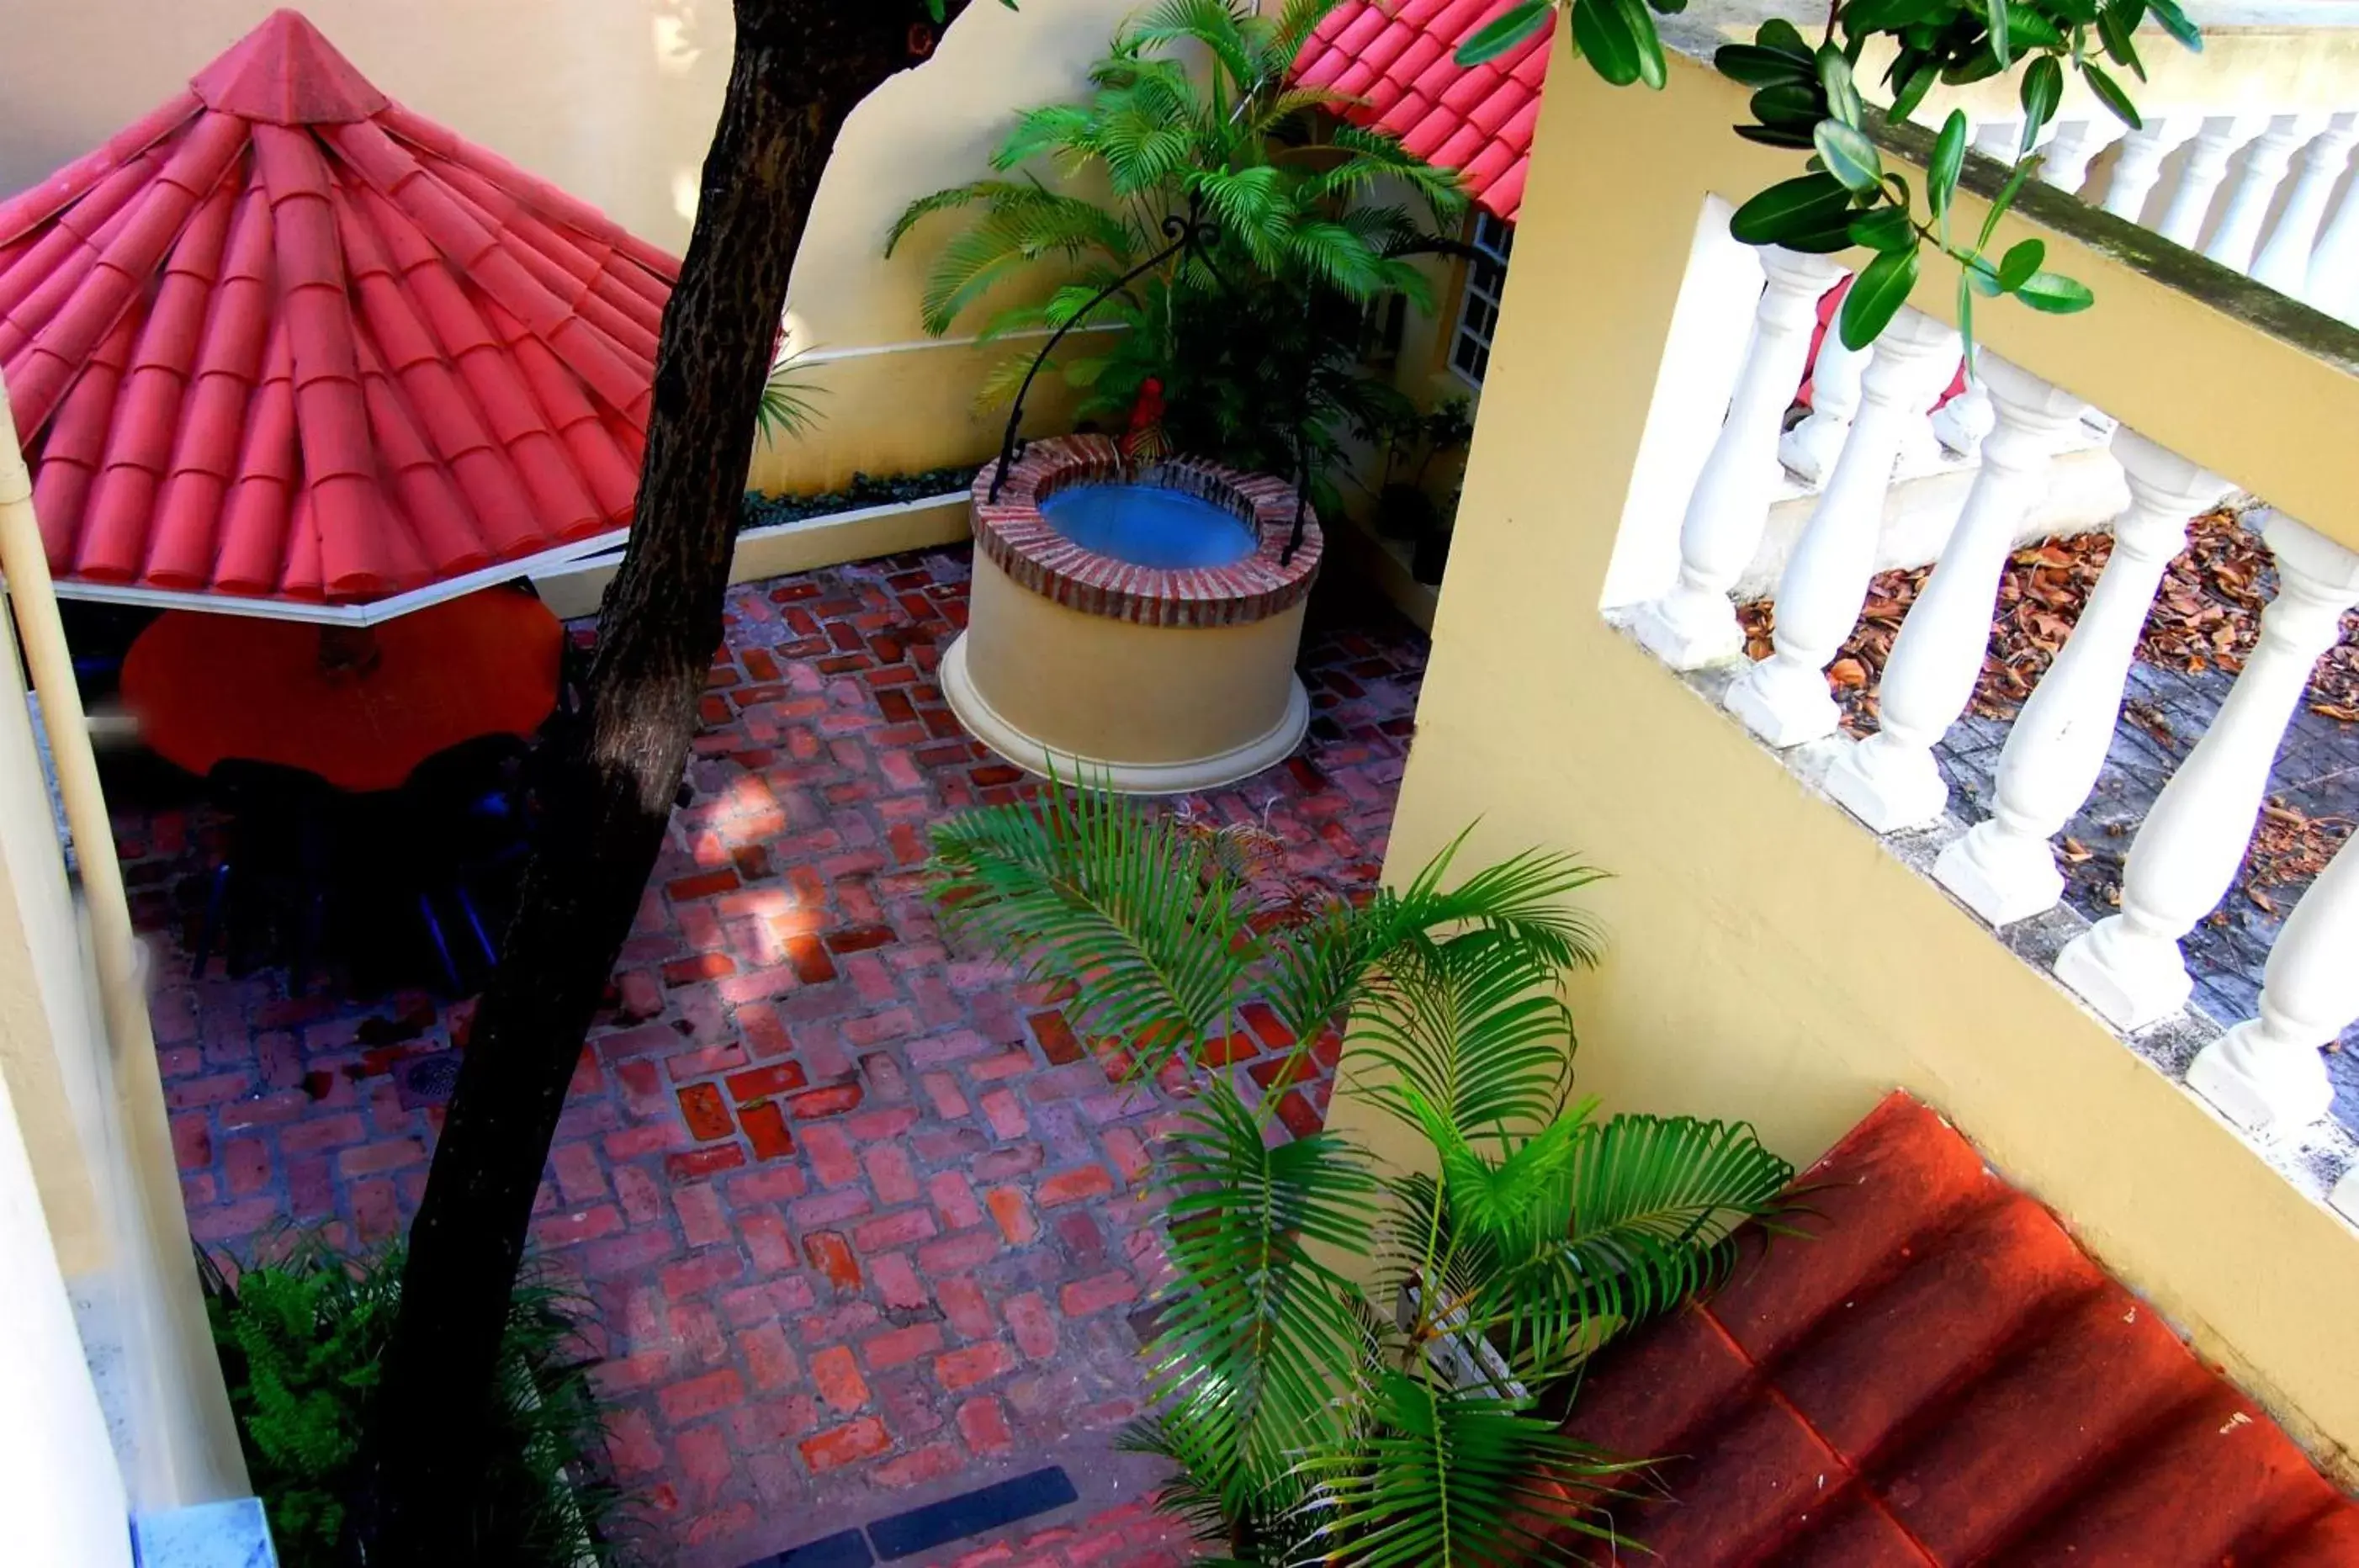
(355, 706)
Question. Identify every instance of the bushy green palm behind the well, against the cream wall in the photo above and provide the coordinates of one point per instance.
(1296, 225)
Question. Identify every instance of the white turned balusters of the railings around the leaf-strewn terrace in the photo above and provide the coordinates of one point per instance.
(2233, 192)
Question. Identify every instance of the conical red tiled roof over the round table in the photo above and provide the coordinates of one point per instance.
(289, 341)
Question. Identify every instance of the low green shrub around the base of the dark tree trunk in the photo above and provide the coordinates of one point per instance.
(303, 1343)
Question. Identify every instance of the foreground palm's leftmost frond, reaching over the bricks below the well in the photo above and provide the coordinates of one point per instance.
(1086, 888)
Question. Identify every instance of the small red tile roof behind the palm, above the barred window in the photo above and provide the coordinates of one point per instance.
(1400, 60)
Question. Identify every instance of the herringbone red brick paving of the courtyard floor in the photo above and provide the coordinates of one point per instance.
(860, 1218)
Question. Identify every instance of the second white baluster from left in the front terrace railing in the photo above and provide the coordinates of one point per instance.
(1827, 579)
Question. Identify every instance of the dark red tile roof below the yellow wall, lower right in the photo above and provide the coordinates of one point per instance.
(1936, 1378)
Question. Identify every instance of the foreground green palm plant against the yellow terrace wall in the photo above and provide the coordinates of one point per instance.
(1360, 1364)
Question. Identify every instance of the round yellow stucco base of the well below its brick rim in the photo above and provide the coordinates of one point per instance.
(1145, 711)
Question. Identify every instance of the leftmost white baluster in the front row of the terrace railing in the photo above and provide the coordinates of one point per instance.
(1730, 506)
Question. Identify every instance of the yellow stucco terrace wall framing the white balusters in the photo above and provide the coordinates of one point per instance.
(1770, 958)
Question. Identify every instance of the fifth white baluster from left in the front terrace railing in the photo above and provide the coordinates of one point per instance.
(2186, 857)
